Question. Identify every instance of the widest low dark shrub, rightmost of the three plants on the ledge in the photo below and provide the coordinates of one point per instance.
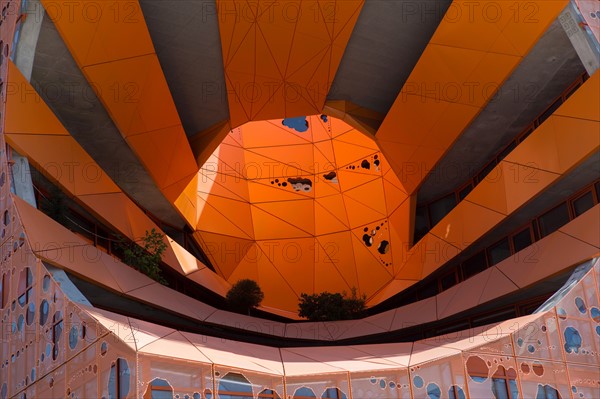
(330, 307)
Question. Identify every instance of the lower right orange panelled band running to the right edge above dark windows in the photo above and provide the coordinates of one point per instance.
(570, 136)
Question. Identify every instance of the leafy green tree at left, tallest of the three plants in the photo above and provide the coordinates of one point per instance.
(147, 257)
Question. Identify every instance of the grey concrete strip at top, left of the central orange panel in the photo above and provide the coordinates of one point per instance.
(186, 39)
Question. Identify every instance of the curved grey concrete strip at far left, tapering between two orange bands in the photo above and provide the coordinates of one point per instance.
(61, 84)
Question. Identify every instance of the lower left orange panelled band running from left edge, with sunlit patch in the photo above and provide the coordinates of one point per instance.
(60, 158)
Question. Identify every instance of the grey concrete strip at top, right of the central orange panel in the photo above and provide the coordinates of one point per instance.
(386, 44)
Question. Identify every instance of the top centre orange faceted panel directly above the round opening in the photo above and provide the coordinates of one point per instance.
(281, 57)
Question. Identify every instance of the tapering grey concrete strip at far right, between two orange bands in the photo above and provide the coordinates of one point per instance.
(541, 77)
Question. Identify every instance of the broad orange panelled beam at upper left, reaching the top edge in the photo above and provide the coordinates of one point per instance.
(128, 79)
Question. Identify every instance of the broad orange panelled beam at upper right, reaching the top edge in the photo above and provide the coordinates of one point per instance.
(479, 45)
